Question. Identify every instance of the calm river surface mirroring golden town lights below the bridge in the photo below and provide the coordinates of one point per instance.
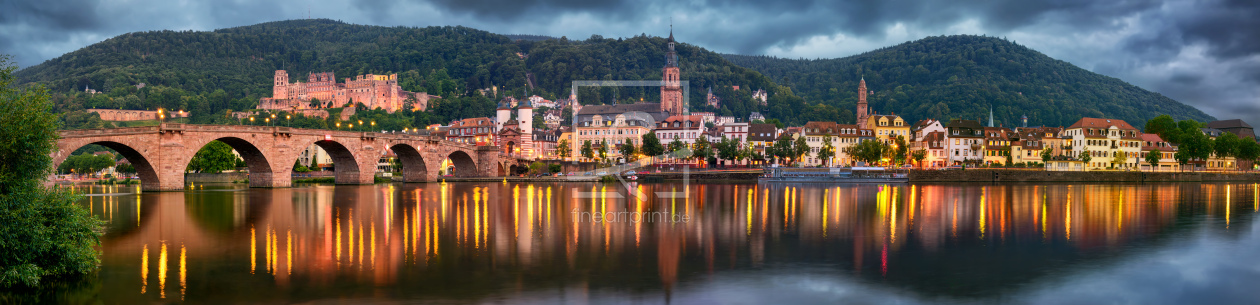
(730, 244)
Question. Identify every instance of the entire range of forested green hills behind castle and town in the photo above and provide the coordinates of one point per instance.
(212, 72)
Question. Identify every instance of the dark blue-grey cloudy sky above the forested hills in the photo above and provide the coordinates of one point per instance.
(1205, 54)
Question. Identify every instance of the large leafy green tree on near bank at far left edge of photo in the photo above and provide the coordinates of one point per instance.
(43, 231)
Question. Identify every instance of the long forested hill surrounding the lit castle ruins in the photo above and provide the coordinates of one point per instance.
(209, 72)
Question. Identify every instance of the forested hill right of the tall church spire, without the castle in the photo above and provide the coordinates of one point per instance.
(962, 78)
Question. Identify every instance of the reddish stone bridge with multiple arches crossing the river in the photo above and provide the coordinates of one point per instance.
(161, 154)
